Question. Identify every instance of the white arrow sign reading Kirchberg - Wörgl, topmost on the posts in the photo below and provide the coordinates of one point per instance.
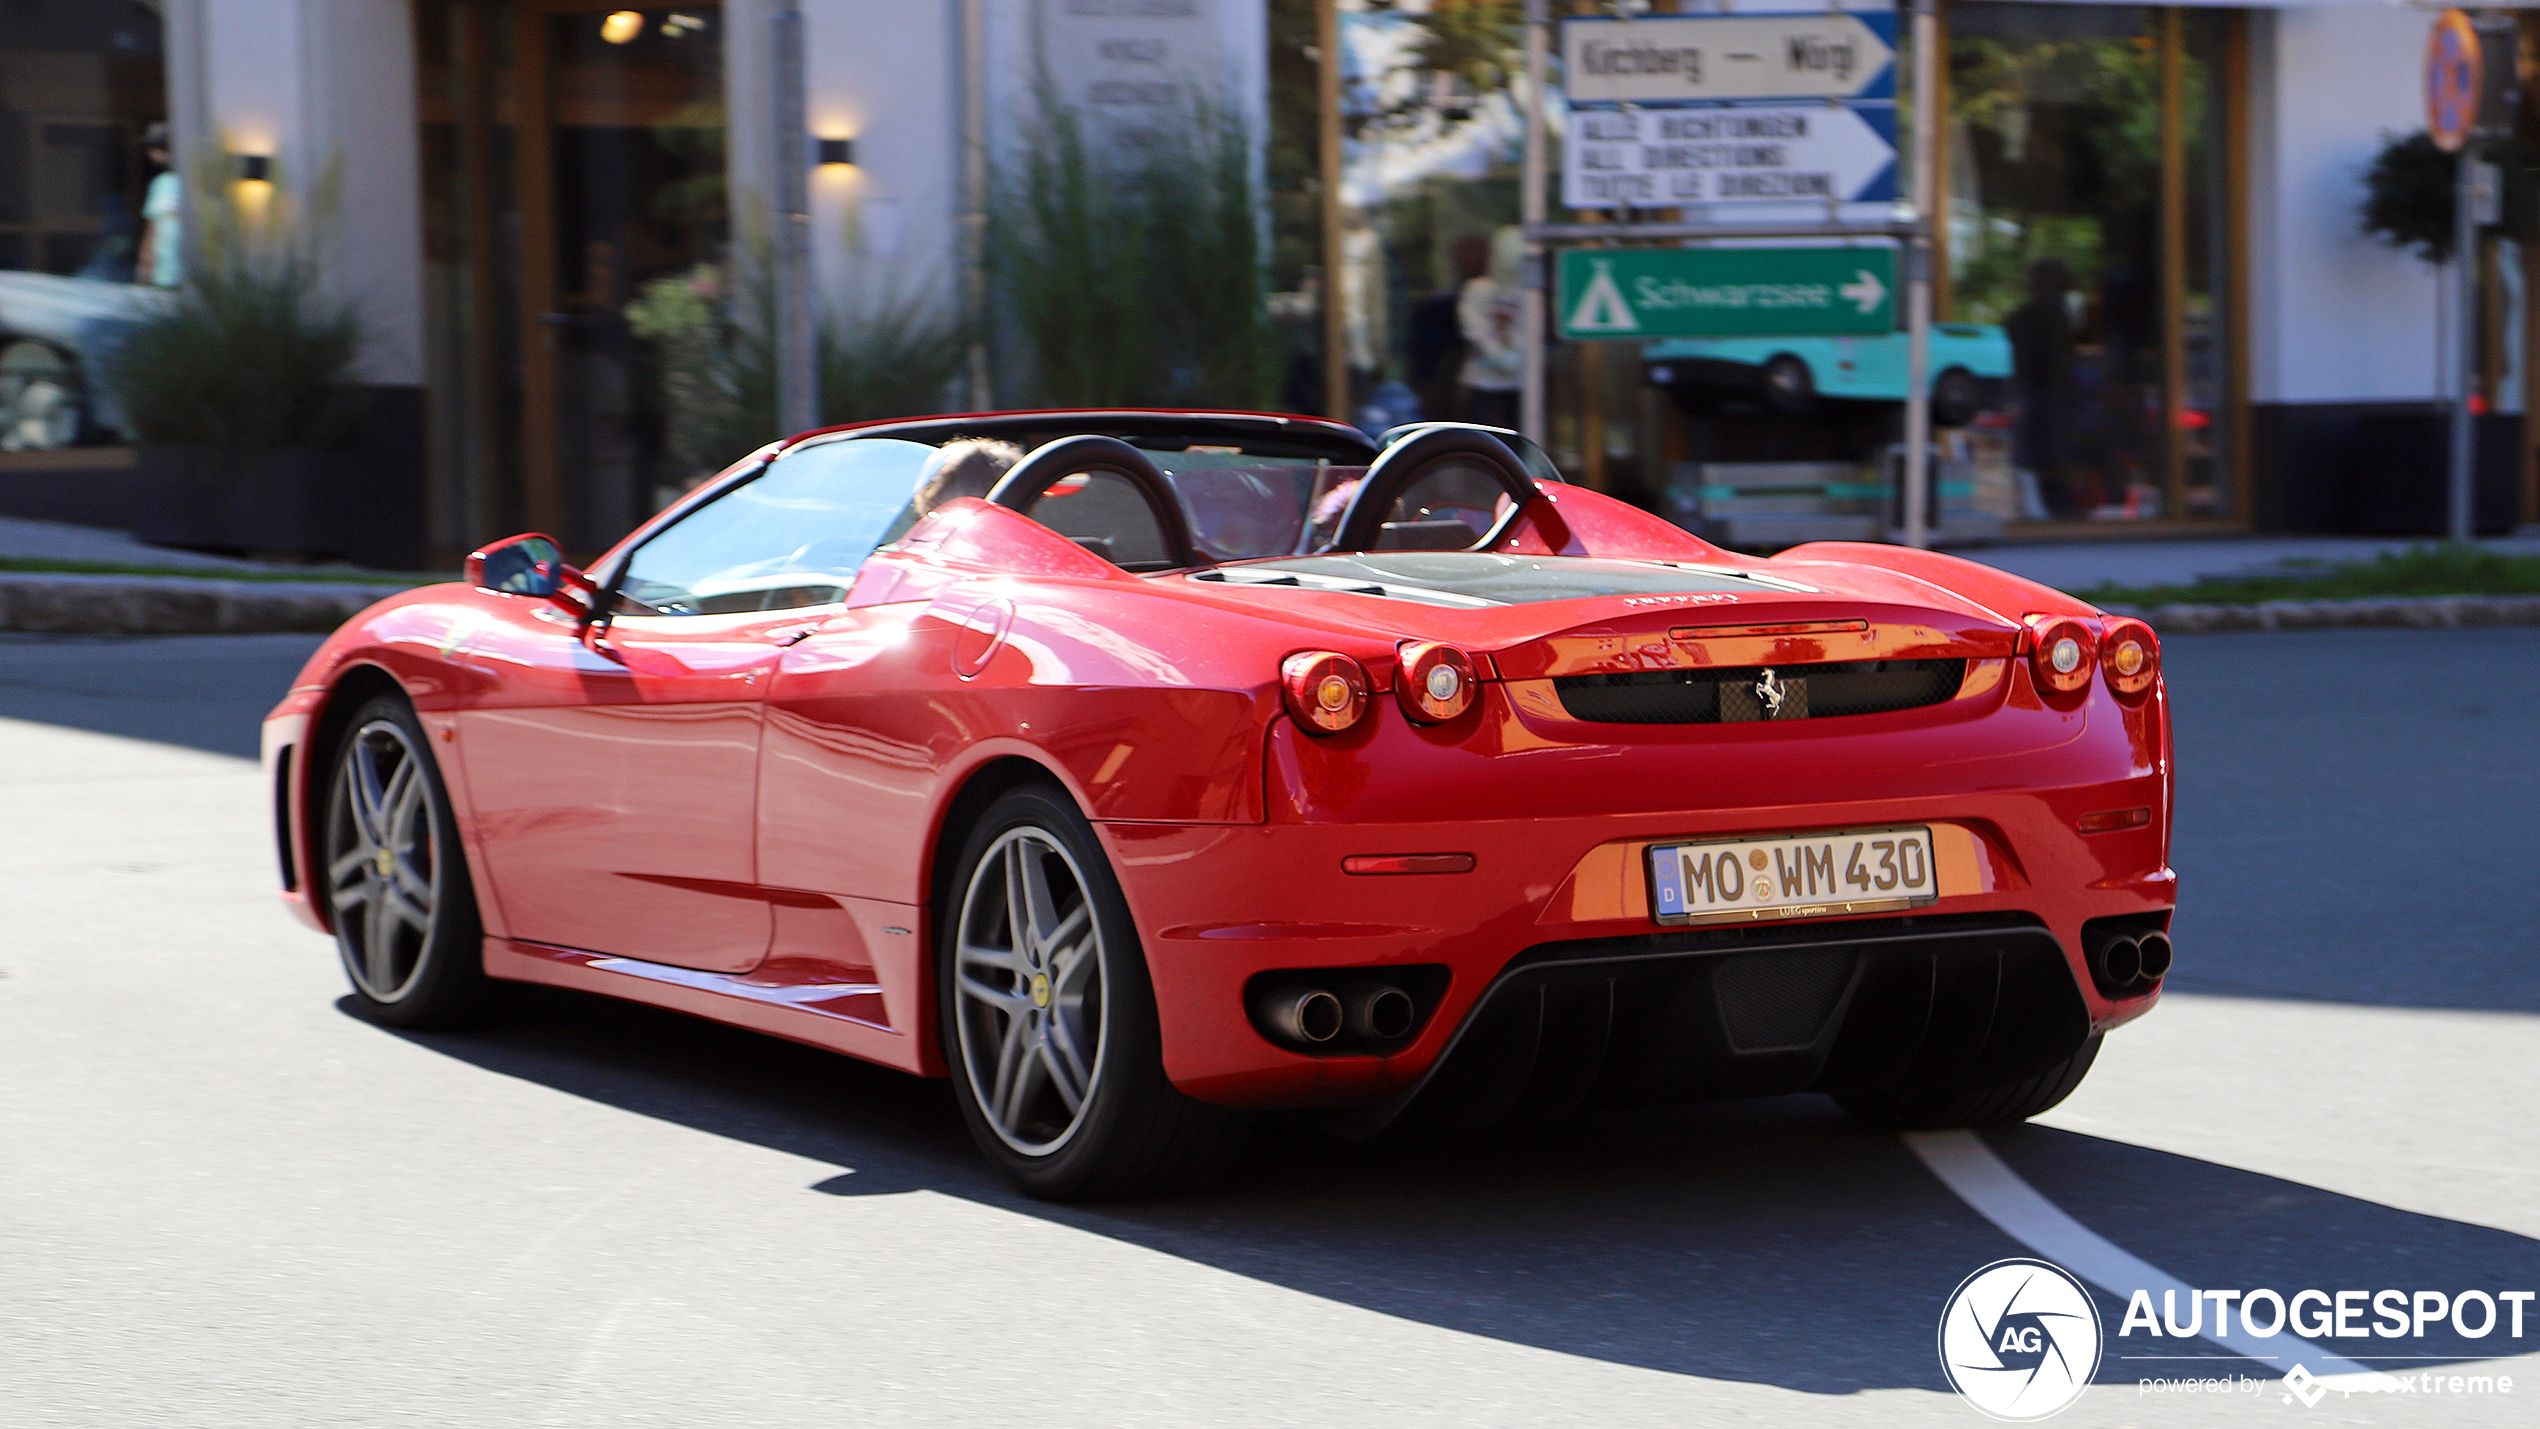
(1683, 60)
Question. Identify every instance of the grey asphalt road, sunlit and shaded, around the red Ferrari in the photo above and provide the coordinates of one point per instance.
(230, 1202)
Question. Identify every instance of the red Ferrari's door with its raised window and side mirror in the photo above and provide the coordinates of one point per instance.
(616, 775)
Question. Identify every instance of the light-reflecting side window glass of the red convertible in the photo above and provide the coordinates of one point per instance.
(789, 539)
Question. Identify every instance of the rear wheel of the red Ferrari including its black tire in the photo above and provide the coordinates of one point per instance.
(1012, 1029)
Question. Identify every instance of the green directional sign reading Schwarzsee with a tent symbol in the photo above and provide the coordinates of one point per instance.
(1726, 293)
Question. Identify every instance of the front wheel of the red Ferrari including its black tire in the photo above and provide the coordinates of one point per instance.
(395, 877)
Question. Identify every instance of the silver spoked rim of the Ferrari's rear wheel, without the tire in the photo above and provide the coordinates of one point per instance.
(1033, 986)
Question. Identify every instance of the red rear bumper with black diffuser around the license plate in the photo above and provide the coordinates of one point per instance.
(1551, 930)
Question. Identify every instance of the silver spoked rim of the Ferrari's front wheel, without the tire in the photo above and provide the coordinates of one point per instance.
(382, 854)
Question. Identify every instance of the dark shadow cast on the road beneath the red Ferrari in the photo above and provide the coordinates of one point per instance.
(1761, 1242)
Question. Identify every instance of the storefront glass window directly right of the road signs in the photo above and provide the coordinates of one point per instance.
(2087, 220)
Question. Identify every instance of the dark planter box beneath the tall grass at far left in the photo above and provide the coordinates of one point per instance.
(220, 499)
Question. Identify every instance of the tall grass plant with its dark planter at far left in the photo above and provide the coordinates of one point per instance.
(243, 400)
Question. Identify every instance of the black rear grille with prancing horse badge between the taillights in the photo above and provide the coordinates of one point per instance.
(1736, 697)
